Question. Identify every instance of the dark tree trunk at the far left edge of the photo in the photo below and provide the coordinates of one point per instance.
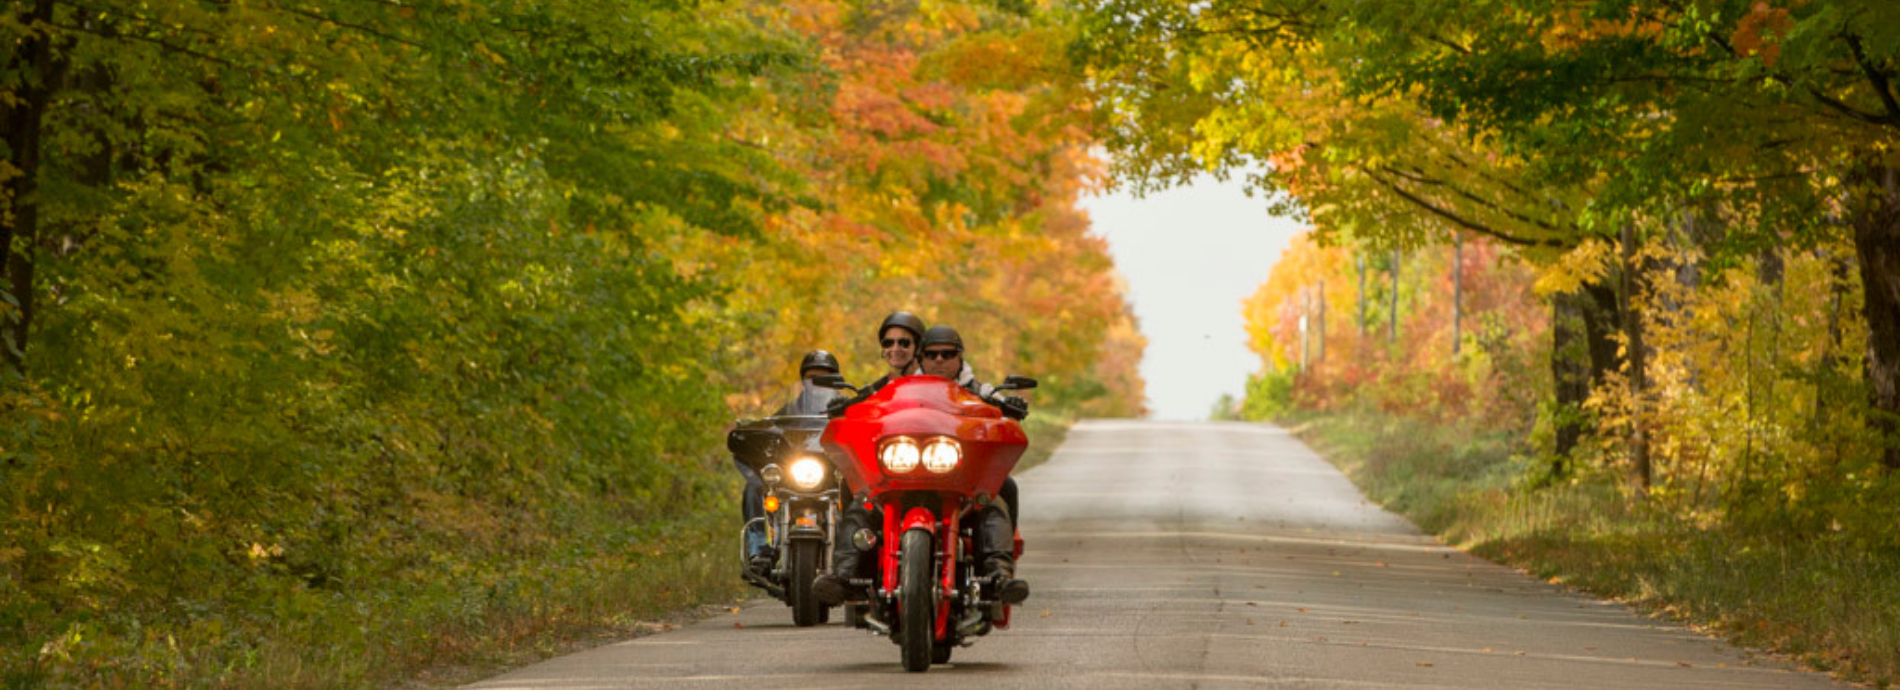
(22, 231)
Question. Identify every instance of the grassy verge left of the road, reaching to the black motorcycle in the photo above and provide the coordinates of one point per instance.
(446, 623)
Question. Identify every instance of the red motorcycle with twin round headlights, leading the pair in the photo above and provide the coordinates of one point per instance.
(928, 455)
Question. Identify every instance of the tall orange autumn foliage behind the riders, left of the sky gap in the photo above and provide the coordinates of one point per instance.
(945, 178)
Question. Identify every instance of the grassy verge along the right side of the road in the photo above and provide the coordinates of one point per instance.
(1819, 600)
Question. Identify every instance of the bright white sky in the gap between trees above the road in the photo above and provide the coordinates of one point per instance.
(1192, 256)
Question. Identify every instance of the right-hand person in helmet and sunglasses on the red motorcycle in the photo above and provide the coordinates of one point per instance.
(997, 535)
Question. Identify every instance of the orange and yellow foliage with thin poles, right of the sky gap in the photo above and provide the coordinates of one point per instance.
(1342, 360)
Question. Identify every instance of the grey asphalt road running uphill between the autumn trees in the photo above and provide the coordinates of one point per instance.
(1209, 556)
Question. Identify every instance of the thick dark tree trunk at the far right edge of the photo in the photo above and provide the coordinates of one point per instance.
(1876, 221)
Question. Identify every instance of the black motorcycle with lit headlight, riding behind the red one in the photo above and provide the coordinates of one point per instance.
(803, 499)
